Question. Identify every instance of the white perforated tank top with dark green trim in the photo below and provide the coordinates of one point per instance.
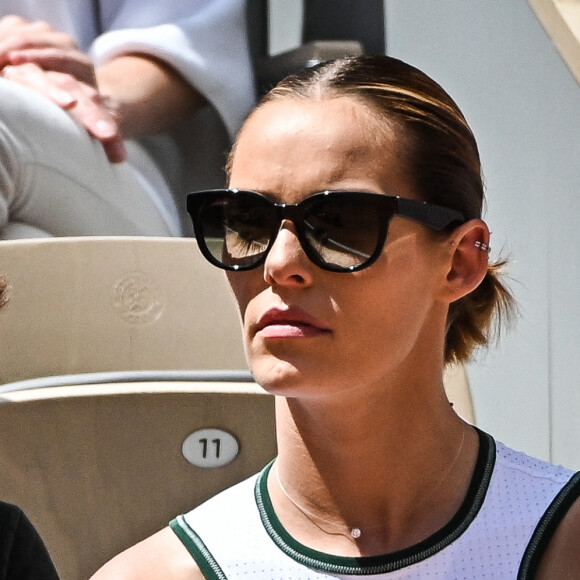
(513, 504)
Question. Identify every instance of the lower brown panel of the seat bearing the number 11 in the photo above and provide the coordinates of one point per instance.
(97, 469)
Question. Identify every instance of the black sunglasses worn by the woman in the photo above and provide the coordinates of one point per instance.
(340, 231)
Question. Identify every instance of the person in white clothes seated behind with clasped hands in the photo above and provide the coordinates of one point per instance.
(83, 83)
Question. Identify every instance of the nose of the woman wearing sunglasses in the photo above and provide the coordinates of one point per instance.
(286, 262)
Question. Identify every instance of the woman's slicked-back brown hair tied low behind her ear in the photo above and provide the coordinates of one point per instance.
(439, 154)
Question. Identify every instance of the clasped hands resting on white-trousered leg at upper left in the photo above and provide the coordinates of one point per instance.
(35, 55)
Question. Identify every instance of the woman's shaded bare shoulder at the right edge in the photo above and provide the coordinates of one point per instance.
(562, 558)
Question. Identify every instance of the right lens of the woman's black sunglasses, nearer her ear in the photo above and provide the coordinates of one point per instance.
(344, 232)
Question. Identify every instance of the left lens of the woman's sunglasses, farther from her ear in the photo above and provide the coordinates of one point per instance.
(237, 229)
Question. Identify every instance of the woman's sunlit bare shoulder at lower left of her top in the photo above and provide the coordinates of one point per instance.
(162, 556)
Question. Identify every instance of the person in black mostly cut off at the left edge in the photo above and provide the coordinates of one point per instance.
(23, 555)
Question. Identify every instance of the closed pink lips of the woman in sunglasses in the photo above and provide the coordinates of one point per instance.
(289, 323)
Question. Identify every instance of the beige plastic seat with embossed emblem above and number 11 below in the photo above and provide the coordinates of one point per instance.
(98, 465)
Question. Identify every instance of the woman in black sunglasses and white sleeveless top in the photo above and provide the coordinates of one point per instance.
(376, 475)
